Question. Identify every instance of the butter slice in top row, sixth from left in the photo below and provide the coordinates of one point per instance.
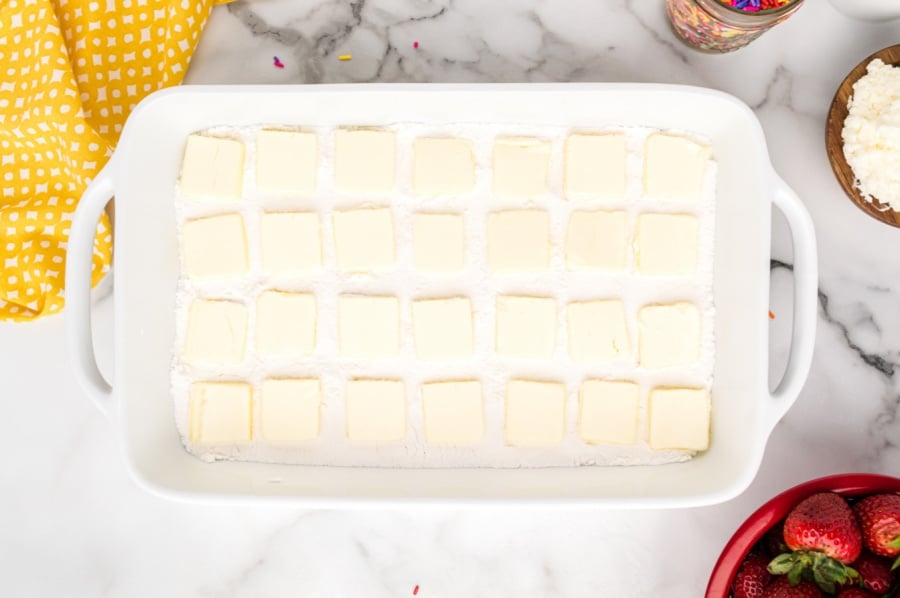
(595, 166)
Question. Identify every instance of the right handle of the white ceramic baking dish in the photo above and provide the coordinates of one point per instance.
(806, 289)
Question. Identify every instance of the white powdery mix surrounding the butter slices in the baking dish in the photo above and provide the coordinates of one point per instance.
(332, 446)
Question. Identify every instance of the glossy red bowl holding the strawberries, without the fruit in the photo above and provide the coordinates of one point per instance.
(756, 525)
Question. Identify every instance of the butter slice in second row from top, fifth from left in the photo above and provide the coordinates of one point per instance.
(518, 241)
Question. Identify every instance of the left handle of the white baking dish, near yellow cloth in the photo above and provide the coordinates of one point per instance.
(79, 258)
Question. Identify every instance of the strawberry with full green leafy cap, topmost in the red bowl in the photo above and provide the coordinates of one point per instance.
(825, 538)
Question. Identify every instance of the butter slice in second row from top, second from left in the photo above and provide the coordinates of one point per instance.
(290, 242)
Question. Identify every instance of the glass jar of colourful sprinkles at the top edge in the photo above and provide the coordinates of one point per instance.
(726, 25)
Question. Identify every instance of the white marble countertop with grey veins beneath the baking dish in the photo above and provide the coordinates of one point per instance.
(74, 524)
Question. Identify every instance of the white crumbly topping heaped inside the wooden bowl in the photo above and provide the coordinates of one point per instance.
(871, 134)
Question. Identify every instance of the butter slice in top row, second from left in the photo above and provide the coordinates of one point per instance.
(286, 162)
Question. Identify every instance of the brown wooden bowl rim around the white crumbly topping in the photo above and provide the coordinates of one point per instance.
(834, 144)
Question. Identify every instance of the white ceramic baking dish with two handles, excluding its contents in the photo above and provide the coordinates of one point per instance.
(142, 175)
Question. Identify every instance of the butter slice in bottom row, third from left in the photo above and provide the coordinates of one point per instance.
(376, 411)
